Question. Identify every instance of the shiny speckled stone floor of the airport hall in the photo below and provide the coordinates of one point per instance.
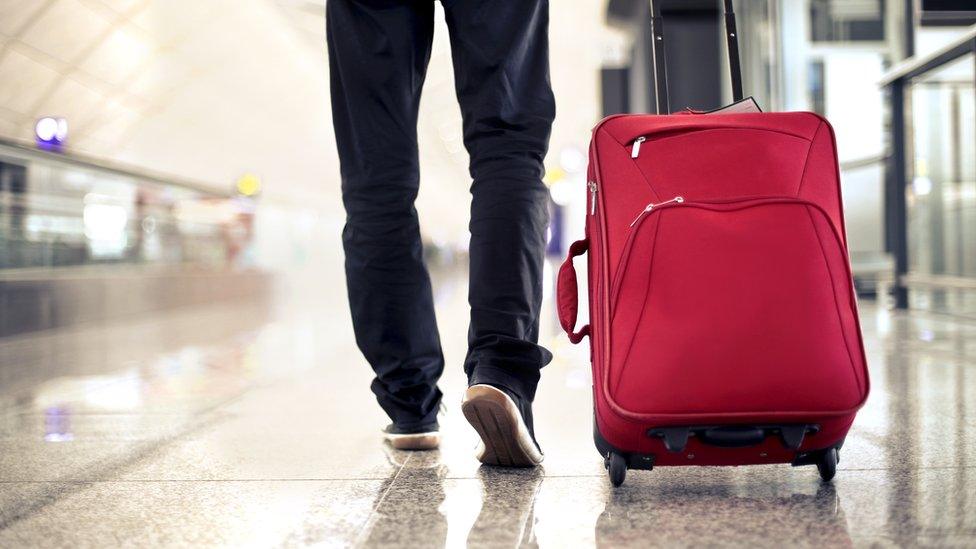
(252, 425)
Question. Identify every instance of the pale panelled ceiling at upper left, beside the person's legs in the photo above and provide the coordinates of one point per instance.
(207, 90)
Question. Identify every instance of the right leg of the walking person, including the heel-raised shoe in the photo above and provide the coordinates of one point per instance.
(501, 64)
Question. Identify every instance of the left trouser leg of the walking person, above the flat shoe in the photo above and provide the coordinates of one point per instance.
(378, 54)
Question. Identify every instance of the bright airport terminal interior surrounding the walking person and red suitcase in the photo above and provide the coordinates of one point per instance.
(177, 361)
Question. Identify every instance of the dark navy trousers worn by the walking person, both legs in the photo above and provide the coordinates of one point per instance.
(378, 54)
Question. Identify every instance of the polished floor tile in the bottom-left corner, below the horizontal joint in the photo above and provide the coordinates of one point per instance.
(189, 514)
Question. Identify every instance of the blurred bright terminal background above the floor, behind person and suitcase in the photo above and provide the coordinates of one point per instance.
(156, 153)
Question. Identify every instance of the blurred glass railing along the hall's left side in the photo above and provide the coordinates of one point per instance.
(60, 212)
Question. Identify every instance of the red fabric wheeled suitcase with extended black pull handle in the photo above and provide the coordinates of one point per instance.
(723, 318)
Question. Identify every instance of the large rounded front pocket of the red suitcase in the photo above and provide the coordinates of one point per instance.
(733, 307)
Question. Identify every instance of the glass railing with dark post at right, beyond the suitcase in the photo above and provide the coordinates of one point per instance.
(929, 171)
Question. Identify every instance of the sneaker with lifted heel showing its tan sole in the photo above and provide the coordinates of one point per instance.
(503, 422)
